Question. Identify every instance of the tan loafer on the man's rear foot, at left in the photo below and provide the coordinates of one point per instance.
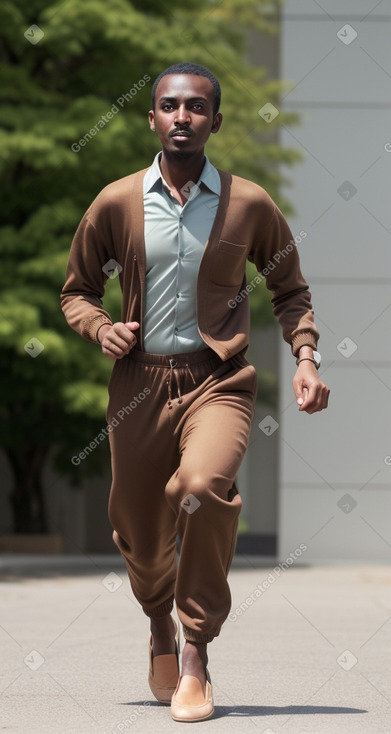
(164, 671)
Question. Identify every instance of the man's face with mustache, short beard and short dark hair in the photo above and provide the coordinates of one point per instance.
(183, 117)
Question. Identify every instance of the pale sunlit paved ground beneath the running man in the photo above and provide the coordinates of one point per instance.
(308, 651)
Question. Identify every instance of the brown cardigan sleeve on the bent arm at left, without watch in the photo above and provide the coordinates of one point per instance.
(91, 250)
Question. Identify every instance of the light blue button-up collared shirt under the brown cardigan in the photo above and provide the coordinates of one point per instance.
(175, 238)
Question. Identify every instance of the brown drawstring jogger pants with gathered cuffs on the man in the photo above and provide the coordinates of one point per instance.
(180, 429)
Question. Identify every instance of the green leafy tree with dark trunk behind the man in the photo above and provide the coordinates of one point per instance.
(54, 90)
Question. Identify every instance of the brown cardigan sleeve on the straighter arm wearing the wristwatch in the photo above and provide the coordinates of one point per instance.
(276, 257)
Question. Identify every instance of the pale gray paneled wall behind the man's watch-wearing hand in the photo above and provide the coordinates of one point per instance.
(335, 475)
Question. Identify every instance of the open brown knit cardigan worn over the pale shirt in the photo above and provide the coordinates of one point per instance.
(248, 225)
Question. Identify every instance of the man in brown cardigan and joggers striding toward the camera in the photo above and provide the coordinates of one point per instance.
(179, 234)
